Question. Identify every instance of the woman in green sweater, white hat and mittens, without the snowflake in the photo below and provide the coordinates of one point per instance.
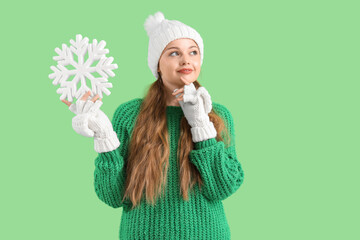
(169, 158)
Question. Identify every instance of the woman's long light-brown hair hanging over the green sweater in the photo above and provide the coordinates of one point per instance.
(148, 151)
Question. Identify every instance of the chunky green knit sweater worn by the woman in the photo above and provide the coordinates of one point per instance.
(203, 216)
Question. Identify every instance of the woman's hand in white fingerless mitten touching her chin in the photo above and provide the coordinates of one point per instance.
(196, 105)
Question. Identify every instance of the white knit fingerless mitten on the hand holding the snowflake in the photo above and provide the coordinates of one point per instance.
(90, 121)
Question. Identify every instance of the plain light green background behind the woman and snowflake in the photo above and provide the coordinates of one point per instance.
(287, 70)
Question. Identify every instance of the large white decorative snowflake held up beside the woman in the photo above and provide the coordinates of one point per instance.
(82, 69)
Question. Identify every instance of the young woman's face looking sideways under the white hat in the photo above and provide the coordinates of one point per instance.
(178, 54)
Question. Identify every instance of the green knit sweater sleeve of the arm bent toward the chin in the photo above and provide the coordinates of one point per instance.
(218, 165)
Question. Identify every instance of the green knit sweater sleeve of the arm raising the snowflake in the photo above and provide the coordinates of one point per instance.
(109, 174)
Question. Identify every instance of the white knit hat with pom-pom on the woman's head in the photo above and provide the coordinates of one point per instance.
(161, 32)
